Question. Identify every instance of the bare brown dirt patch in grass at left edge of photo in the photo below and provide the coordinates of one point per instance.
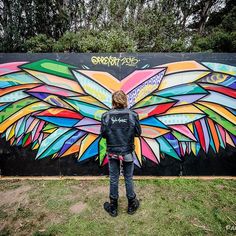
(18, 195)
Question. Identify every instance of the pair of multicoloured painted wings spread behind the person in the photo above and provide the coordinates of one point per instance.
(56, 108)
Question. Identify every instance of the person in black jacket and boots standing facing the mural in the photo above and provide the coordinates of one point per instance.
(119, 126)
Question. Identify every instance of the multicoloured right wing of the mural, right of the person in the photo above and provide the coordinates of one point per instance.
(191, 109)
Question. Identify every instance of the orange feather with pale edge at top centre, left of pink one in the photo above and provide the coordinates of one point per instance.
(103, 78)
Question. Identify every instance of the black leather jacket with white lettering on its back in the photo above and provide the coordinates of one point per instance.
(119, 127)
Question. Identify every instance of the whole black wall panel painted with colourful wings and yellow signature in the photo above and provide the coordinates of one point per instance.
(51, 107)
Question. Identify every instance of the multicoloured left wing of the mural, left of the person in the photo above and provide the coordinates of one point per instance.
(43, 105)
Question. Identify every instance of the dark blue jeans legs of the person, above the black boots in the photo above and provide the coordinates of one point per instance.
(114, 173)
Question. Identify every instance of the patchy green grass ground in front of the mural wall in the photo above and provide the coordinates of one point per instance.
(168, 207)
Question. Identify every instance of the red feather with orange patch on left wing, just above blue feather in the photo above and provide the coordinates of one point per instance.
(60, 112)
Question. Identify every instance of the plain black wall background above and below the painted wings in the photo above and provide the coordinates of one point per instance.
(16, 161)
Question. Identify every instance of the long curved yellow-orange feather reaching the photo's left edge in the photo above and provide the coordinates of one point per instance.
(23, 112)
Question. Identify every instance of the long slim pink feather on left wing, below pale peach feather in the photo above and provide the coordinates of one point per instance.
(53, 90)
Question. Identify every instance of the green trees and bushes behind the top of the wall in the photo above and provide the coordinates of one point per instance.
(117, 26)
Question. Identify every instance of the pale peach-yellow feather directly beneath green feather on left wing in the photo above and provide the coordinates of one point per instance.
(56, 81)
